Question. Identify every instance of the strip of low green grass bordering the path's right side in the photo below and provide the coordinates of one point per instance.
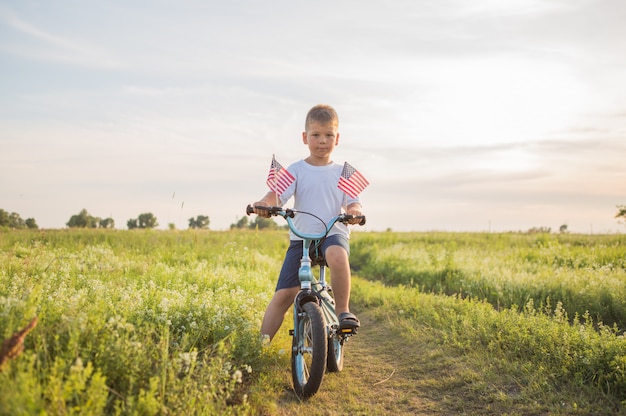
(540, 350)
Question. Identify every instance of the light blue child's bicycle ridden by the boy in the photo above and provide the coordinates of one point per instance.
(318, 339)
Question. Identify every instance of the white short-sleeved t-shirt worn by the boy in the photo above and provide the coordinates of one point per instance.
(315, 190)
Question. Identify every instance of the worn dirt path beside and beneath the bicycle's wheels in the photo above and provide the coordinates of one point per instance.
(384, 375)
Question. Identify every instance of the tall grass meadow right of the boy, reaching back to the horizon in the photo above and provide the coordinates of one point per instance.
(586, 274)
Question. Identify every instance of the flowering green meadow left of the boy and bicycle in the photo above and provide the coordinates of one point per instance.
(134, 322)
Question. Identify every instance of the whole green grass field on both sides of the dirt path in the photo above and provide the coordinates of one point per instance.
(166, 322)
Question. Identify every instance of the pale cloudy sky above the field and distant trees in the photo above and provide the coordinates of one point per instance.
(464, 115)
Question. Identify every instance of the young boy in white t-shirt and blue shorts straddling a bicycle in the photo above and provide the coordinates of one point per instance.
(315, 191)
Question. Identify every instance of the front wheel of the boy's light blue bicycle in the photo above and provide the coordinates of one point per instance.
(308, 355)
